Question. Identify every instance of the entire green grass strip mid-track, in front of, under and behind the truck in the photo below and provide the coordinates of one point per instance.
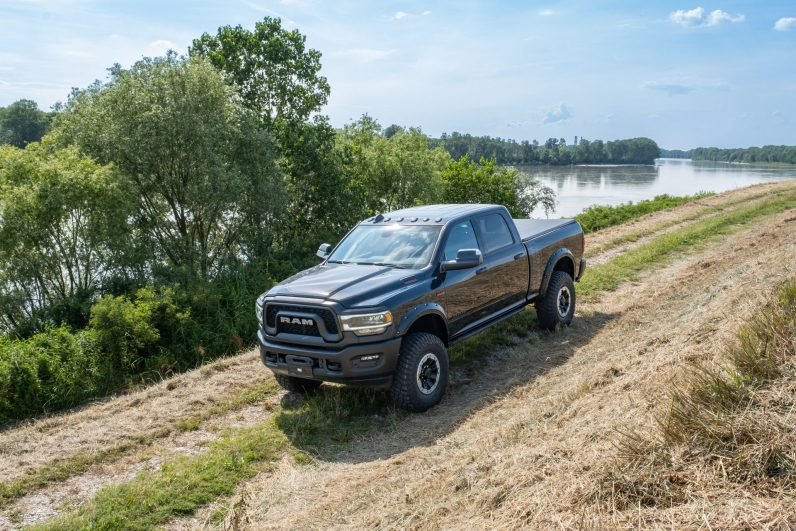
(334, 416)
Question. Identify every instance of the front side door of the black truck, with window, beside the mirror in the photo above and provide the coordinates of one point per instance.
(460, 305)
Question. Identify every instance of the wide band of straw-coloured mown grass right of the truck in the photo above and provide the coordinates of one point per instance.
(527, 458)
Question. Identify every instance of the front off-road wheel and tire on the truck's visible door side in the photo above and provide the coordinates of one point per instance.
(414, 386)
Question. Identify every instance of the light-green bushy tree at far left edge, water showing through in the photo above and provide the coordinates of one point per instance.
(63, 232)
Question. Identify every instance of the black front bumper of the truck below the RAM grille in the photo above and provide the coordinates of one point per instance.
(344, 366)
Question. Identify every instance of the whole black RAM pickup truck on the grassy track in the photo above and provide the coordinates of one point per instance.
(402, 287)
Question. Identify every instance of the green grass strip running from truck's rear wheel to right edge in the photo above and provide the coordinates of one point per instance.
(628, 266)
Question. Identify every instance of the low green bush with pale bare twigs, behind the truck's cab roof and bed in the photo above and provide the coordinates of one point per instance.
(464, 181)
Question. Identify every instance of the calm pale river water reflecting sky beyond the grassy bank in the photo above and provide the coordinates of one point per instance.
(578, 187)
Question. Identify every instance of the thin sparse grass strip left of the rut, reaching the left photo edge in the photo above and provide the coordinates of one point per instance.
(65, 468)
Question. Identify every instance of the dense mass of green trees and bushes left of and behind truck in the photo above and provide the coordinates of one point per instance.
(139, 222)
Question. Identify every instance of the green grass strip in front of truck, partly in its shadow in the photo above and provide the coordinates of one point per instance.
(324, 422)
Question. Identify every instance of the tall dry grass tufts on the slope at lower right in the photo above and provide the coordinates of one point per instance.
(729, 428)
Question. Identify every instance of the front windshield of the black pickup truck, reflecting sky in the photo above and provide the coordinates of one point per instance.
(395, 245)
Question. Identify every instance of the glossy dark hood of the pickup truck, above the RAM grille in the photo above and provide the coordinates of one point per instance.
(349, 284)
